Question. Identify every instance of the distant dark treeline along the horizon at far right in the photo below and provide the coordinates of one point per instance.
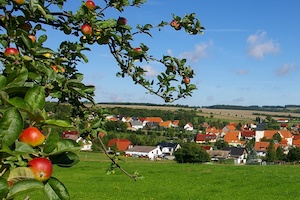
(286, 108)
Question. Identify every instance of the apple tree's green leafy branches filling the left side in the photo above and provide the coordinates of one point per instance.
(37, 72)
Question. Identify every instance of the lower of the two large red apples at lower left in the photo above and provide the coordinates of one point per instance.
(41, 168)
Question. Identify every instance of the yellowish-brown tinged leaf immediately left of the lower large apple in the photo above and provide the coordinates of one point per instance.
(19, 174)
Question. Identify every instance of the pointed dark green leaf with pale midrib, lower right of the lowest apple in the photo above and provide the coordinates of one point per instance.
(55, 190)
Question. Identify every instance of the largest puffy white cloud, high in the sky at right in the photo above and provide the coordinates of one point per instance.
(259, 45)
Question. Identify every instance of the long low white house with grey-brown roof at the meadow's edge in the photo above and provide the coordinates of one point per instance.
(151, 152)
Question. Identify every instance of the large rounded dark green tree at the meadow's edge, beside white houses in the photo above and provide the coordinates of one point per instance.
(191, 153)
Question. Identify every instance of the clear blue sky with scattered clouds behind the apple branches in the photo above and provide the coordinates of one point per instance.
(248, 54)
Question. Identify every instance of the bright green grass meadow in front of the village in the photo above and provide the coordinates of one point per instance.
(168, 180)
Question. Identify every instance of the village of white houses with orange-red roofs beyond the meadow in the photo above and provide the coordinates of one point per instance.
(235, 139)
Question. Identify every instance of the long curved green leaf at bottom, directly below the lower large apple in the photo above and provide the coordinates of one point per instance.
(23, 187)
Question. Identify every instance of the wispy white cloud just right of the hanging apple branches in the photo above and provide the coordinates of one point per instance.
(200, 51)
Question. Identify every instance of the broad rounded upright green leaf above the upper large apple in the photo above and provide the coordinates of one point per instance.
(35, 97)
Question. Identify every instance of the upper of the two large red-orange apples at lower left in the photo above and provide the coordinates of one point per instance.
(32, 136)
